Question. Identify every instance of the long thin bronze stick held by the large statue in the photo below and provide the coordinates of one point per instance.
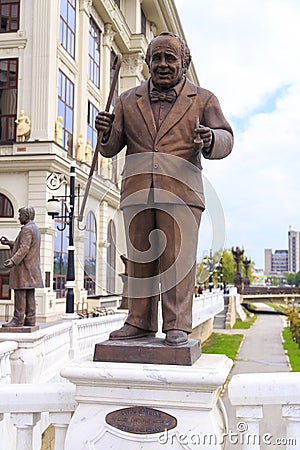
(116, 67)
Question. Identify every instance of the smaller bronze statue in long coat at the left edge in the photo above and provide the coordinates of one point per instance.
(25, 271)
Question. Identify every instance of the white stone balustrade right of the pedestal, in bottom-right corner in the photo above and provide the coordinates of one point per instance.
(250, 392)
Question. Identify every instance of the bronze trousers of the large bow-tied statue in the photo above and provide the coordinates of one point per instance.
(161, 247)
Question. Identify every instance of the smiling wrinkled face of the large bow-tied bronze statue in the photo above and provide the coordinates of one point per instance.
(165, 65)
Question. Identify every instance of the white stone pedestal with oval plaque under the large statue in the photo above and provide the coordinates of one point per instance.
(148, 406)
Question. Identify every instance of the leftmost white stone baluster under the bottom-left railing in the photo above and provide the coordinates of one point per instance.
(24, 423)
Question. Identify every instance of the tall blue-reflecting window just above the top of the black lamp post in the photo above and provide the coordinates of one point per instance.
(66, 110)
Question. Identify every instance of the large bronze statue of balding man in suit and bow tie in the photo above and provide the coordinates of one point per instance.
(167, 123)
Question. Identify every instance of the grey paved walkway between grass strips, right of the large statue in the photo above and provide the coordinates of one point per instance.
(261, 351)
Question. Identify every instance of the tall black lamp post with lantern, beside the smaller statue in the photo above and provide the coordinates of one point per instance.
(54, 182)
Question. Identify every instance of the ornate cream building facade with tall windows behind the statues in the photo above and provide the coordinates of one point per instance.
(56, 61)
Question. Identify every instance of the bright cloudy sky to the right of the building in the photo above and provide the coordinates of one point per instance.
(247, 52)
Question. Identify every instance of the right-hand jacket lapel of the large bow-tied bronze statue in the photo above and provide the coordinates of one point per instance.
(182, 104)
